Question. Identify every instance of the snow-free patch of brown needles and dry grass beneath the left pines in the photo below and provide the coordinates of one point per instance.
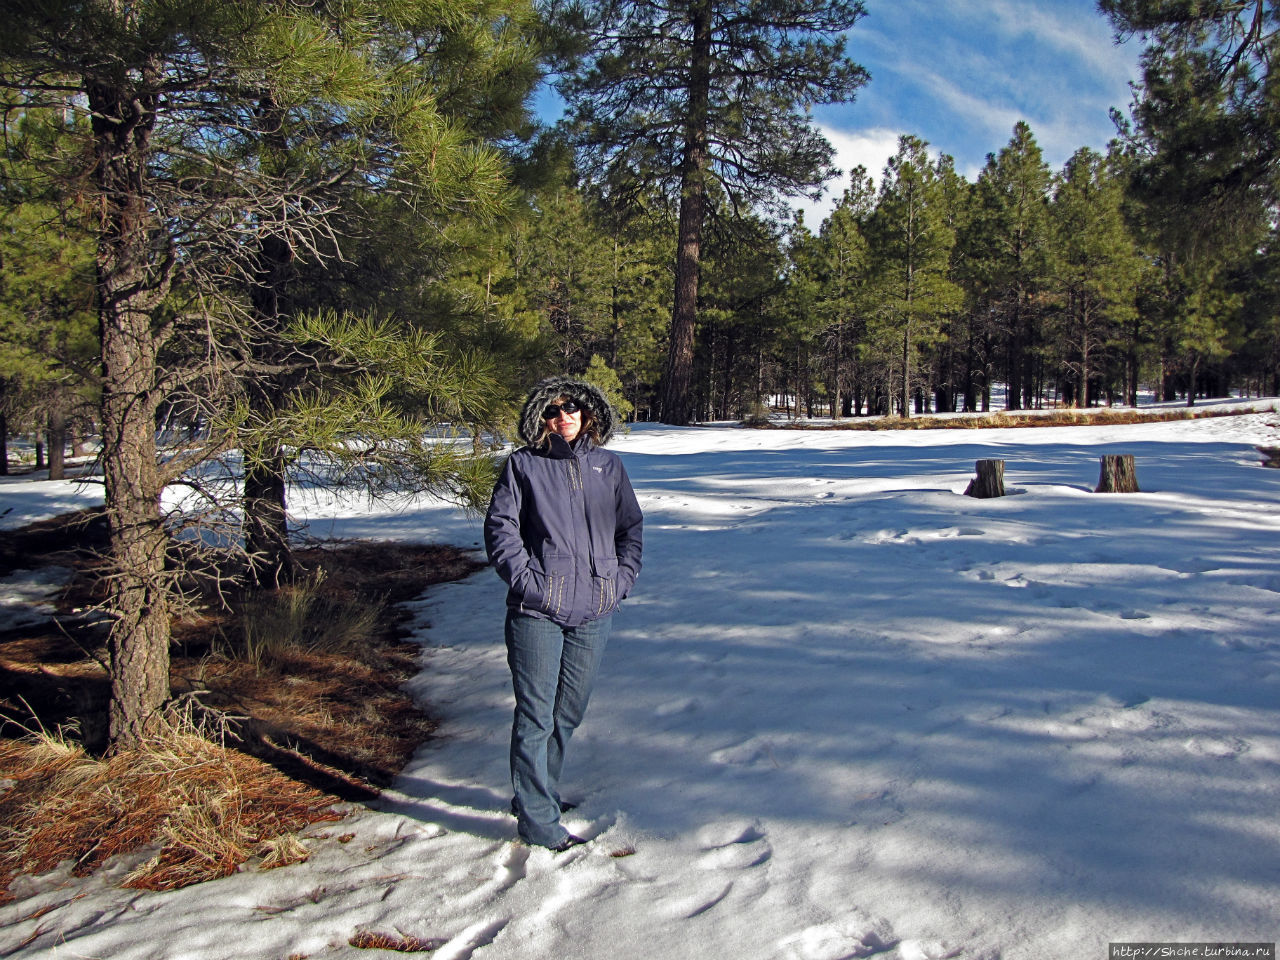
(313, 723)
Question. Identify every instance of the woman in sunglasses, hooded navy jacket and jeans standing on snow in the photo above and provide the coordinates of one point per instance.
(564, 532)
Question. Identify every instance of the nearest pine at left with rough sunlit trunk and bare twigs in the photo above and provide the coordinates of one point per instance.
(188, 204)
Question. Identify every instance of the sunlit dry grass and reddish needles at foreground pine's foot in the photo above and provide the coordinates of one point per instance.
(209, 808)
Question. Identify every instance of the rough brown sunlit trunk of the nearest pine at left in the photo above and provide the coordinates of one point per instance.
(139, 642)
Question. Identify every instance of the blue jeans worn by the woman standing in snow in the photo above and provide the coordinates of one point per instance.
(552, 670)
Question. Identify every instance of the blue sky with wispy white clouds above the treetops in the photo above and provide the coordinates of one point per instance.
(961, 74)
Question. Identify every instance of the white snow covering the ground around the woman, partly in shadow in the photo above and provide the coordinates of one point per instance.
(849, 712)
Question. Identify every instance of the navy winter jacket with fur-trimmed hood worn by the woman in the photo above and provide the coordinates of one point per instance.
(564, 529)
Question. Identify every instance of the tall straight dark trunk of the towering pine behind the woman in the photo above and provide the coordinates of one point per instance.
(676, 408)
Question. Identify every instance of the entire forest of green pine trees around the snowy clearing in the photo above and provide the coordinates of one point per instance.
(322, 236)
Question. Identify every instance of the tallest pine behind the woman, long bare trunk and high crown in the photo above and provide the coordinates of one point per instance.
(683, 97)
